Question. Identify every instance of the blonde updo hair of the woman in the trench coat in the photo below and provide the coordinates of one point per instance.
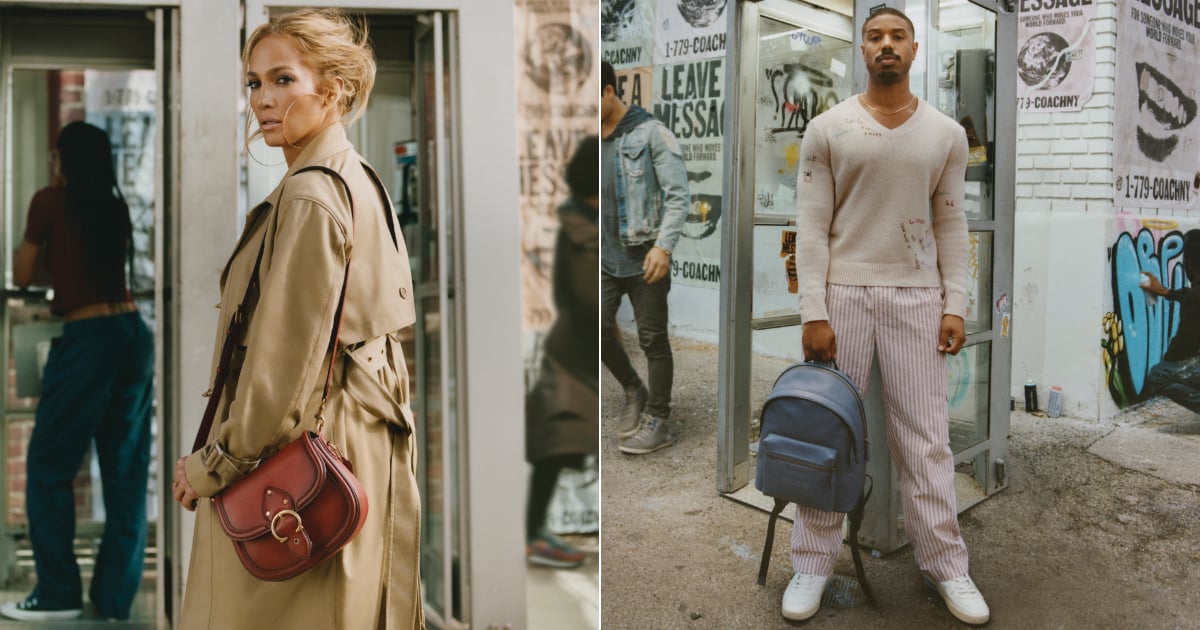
(334, 46)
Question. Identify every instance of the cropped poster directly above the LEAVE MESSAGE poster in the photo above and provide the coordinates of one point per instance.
(691, 29)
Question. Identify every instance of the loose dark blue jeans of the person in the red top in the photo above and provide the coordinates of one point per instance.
(98, 386)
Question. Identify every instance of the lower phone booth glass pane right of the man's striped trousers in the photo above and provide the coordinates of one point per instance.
(970, 393)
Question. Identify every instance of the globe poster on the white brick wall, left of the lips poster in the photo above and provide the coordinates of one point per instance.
(1057, 55)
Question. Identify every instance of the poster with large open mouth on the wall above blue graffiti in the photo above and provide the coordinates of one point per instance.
(1156, 135)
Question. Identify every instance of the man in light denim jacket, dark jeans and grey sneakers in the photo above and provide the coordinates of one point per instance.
(645, 203)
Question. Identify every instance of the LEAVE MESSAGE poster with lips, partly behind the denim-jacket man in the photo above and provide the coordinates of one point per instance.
(689, 100)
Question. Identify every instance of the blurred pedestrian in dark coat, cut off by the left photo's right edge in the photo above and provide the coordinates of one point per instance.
(562, 411)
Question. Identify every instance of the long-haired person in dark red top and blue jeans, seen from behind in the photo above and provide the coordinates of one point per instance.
(97, 386)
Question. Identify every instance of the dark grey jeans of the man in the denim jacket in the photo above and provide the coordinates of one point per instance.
(650, 304)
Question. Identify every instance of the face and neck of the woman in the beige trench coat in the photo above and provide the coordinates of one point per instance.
(285, 98)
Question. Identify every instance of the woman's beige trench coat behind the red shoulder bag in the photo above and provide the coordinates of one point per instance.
(274, 389)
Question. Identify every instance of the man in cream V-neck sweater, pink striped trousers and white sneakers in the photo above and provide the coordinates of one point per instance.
(883, 244)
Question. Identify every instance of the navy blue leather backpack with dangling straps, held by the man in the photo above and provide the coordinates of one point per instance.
(813, 451)
